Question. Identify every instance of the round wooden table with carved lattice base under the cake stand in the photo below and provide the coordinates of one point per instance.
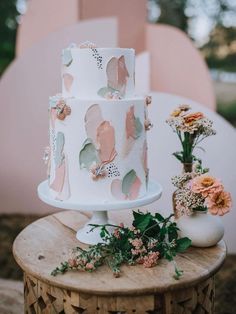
(41, 246)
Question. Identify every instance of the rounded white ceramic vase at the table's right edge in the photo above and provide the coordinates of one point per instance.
(202, 228)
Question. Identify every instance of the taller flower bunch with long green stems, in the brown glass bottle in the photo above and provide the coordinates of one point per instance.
(191, 128)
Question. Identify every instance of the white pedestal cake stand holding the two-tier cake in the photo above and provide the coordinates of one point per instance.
(100, 210)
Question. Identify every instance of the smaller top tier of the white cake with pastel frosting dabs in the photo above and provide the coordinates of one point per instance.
(90, 72)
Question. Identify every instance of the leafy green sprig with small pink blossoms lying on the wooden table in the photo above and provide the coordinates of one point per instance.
(150, 238)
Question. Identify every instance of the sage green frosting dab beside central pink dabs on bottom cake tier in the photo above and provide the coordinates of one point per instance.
(88, 155)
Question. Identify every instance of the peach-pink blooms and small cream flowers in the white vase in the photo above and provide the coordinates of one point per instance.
(200, 191)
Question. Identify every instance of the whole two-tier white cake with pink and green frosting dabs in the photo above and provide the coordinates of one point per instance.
(98, 147)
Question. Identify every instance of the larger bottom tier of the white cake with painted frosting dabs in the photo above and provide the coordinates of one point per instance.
(98, 149)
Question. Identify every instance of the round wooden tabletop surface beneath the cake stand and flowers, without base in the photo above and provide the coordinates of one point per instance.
(41, 246)
